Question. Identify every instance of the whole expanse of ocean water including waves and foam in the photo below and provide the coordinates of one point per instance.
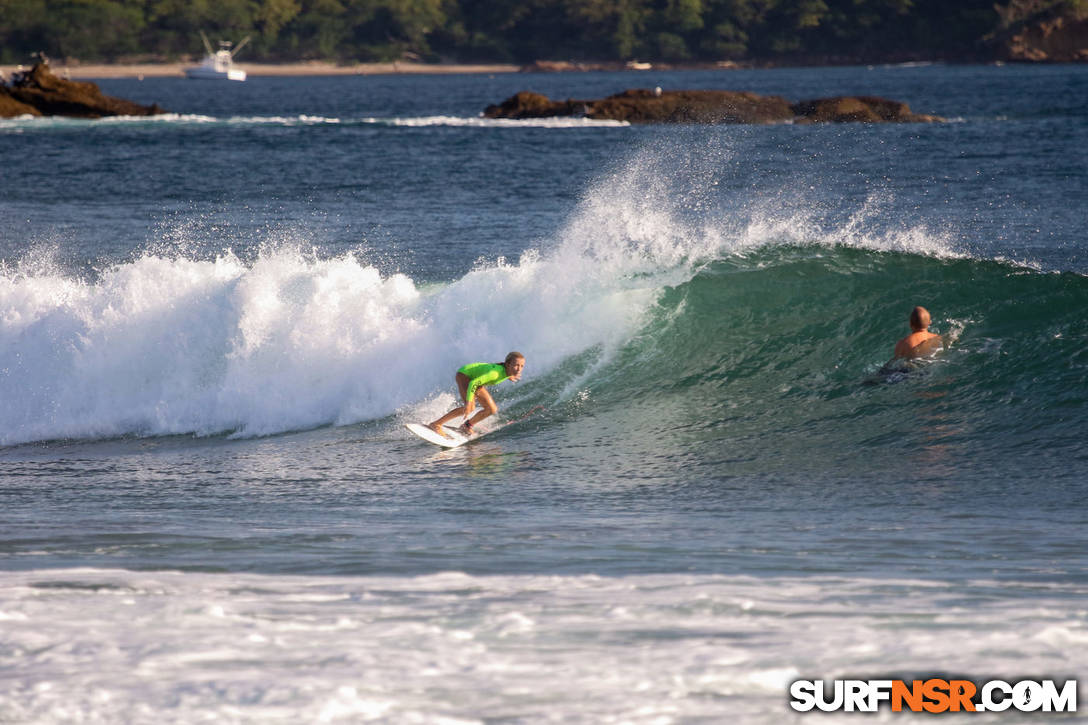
(215, 325)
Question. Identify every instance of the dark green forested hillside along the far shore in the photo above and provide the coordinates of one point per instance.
(524, 31)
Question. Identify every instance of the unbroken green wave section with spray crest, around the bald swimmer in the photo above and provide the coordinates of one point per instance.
(774, 318)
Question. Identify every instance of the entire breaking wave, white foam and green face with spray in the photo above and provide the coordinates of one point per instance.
(666, 302)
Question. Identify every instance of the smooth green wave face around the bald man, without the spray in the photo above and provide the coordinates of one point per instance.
(783, 350)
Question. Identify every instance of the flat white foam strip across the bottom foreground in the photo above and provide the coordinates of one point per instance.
(183, 648)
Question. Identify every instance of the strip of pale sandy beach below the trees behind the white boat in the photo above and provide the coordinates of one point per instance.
(170, 70)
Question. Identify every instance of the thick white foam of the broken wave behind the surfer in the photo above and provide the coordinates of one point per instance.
(174, 346)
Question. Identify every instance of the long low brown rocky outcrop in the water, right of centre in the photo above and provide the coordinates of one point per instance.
(709, 107)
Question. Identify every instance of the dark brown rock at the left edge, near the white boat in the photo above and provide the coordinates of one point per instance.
(50, 95)
